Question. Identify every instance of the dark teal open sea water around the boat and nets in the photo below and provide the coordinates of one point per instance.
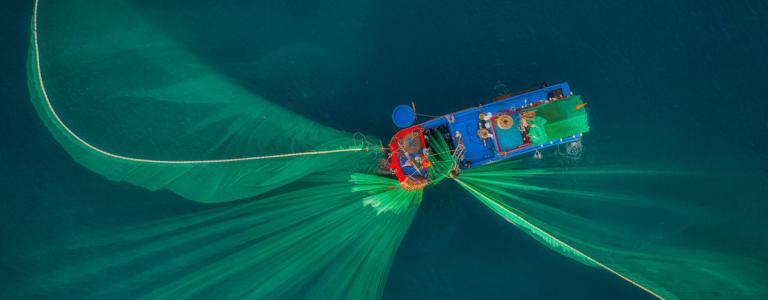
(672, 85)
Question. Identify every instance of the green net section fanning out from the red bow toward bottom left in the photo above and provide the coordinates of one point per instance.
(314, 239)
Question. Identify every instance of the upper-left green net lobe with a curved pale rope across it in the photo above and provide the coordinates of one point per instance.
(110, 93)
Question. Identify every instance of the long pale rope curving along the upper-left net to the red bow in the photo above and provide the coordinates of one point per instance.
(94, 148)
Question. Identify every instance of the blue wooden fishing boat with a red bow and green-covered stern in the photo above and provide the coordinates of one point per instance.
(509, 126)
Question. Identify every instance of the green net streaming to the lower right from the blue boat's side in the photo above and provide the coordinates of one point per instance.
(662, 231)
